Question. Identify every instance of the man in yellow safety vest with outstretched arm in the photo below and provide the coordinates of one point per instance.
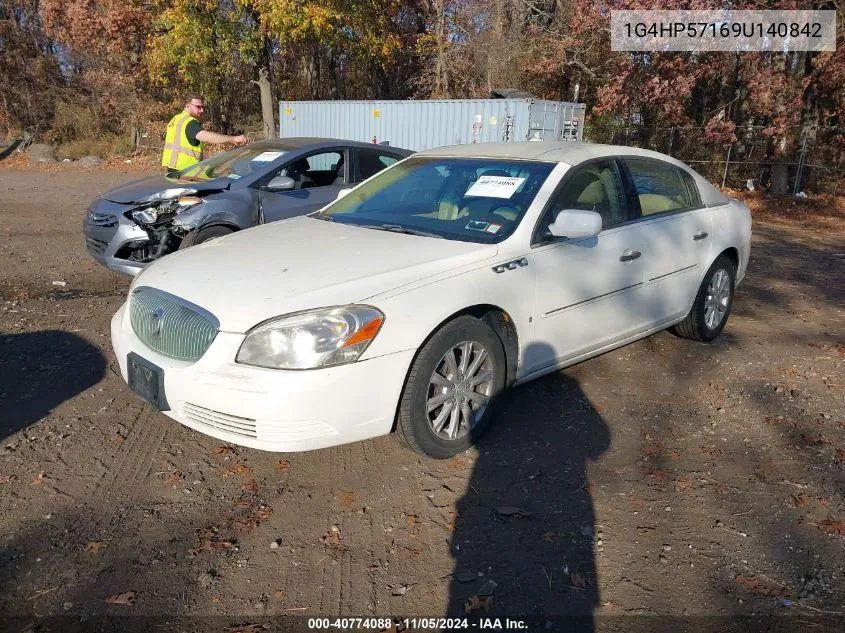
(184, 138)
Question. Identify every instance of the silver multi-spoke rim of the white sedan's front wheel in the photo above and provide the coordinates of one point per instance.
(459, 390)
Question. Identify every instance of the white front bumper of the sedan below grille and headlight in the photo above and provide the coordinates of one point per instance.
(268, 409)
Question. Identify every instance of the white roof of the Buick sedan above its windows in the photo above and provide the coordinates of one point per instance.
(572, 154)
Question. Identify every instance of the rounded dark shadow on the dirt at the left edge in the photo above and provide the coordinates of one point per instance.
(39, 371)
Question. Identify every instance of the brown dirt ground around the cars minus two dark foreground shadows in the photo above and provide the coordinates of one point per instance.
(666, 478)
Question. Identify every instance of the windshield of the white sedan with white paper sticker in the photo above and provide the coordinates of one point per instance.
(466, 199)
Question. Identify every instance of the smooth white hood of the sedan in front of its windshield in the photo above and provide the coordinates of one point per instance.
(300, 264)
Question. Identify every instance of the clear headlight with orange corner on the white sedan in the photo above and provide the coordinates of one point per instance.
(313, 339)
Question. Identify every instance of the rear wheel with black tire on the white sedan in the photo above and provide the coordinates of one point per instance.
(712, 305)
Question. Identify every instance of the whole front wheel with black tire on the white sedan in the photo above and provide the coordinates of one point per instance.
(458, 420)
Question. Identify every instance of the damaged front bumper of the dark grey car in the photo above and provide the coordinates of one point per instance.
(106, 231)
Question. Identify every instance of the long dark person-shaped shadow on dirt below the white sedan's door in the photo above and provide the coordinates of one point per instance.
(525, 534)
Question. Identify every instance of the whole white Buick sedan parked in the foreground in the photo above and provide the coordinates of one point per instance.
(411, 303)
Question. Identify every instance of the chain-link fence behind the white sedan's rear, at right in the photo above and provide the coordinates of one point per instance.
(814, 164)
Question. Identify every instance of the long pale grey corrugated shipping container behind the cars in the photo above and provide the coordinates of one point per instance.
(419, 125)
